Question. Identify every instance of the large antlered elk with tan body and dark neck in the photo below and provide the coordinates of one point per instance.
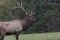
(17, 25)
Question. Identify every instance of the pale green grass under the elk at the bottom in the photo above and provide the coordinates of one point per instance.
(41, 36)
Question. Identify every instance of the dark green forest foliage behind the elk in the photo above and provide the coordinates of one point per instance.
(47, 12)
